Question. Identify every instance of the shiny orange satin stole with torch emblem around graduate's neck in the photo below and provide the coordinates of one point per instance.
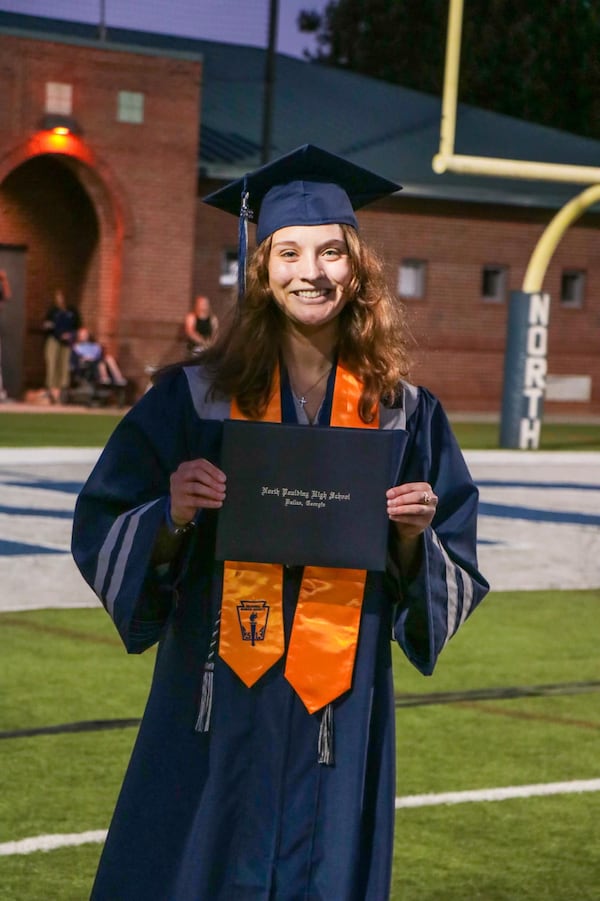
(322, 646)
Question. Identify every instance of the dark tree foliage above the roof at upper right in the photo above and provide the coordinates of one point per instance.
(537, 60)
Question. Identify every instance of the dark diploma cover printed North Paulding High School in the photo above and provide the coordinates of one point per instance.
(307, 496)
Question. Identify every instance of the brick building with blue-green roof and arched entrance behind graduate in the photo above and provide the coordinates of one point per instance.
(115, 213)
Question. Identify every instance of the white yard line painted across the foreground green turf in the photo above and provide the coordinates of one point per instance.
(51, 842)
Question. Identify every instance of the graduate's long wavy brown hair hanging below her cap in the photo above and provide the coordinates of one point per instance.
(373, 335)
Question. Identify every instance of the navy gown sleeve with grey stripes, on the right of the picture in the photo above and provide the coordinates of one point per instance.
(447, 586)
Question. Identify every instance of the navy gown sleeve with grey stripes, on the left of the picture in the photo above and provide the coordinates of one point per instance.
(121, 509)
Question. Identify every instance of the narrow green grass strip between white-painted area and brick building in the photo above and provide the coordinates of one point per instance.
(92, 430)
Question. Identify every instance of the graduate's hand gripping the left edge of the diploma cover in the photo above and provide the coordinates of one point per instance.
(196, 484)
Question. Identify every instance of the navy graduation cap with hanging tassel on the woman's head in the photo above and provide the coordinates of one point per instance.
(308, 186)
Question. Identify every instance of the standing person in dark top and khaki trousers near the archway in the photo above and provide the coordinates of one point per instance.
(60, 325)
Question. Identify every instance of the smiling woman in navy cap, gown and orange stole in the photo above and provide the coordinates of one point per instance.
(265, 770)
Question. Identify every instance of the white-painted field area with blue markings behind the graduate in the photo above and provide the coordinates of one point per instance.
(539, 525)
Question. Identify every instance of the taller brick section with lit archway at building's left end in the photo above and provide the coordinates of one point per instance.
(106, 211)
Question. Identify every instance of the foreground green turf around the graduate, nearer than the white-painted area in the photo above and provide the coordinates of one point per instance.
(66, 666)
